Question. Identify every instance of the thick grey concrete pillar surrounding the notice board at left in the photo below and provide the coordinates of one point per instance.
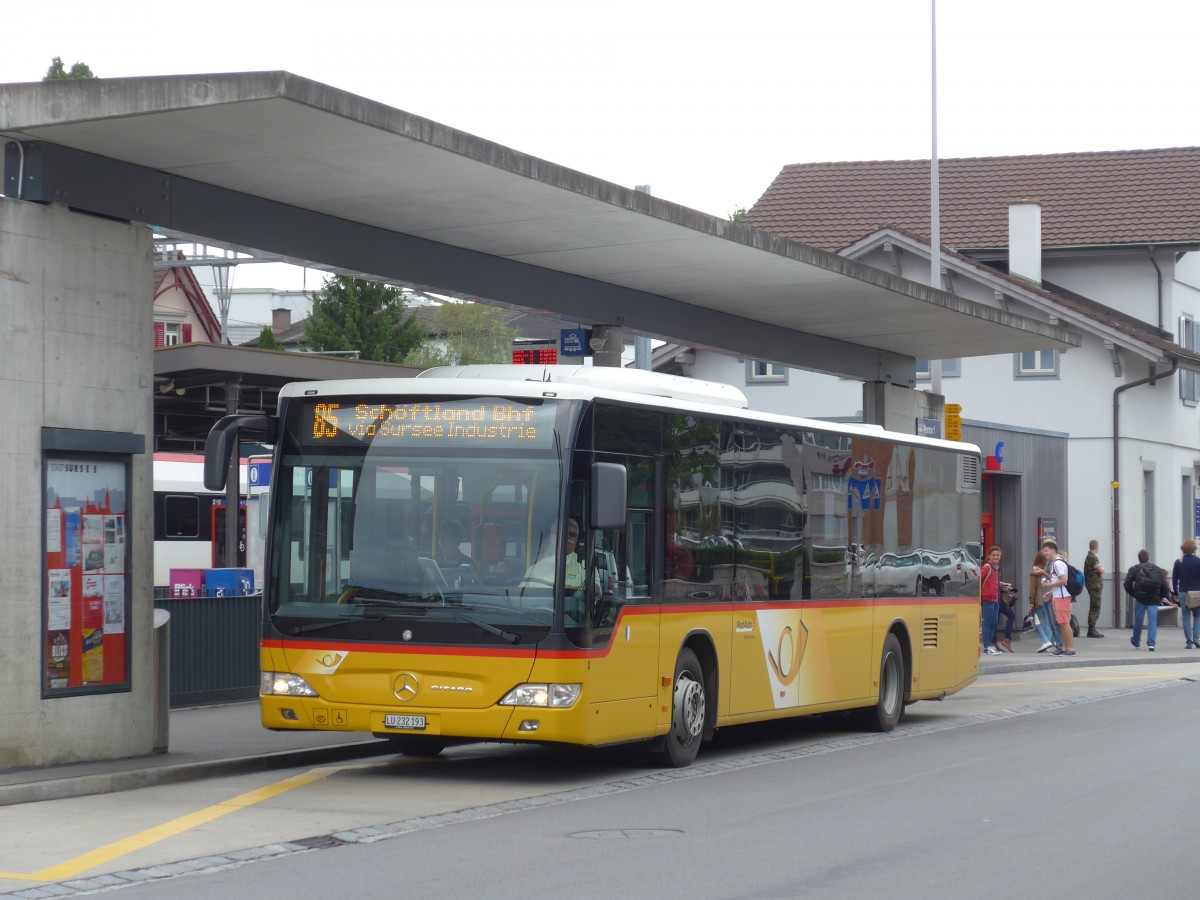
(76, 331)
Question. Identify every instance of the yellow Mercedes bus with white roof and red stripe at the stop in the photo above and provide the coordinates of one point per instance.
(598, 557)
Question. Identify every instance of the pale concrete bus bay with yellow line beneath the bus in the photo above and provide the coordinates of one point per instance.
(82, 844)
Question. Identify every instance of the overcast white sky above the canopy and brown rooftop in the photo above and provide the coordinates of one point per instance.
(704, 101)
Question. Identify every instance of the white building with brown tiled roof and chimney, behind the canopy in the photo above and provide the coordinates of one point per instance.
(1107, 244)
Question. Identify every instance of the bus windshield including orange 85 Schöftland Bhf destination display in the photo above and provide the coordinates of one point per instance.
(416, 521)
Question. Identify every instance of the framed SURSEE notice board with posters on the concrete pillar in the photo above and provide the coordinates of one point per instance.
(86, 568)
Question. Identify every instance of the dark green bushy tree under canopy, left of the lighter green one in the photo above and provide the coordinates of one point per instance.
(364, 316)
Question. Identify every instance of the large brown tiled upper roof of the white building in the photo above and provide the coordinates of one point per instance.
(1088, 200)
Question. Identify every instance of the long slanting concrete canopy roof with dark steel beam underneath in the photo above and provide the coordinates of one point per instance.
(278, 163)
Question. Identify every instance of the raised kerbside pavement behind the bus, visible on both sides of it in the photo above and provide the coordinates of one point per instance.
(229, 740)
